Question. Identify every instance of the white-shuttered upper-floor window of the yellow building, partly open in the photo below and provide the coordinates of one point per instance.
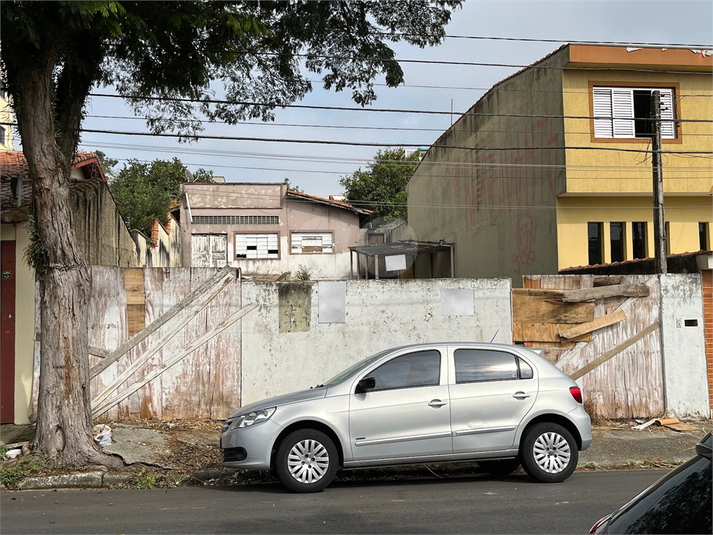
(623, 112)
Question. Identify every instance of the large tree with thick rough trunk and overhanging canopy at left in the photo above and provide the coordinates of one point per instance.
(166, 59)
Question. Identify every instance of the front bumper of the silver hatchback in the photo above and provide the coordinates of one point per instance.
(249, 448)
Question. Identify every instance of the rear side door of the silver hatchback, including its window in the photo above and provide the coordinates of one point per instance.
(491, 393)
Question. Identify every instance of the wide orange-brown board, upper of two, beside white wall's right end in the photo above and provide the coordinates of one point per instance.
(543, 306)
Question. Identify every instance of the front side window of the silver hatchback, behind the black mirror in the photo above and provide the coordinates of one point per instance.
(422, 368)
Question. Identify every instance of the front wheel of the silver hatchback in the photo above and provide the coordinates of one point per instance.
(306, 460)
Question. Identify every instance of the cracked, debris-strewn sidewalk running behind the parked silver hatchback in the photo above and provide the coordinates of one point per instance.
(188, 452)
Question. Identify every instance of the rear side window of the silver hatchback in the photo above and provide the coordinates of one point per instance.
(480, 365)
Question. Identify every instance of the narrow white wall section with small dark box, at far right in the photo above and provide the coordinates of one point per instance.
(685, 382)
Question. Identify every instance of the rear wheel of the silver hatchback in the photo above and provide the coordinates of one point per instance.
(549, 453)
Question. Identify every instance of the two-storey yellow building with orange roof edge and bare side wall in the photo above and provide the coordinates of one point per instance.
(551, 168)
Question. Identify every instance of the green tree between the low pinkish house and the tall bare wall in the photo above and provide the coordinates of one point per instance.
(381, 188)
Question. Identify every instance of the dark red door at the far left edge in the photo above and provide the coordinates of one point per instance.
(7, 338)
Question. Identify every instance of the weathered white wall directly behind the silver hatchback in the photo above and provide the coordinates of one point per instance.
(379, 315)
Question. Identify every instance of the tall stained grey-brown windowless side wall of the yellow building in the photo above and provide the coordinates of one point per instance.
(497, 203)
